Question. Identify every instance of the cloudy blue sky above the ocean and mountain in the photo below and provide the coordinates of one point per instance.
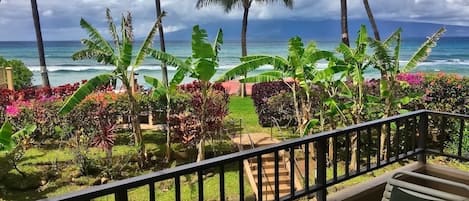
(60, 18)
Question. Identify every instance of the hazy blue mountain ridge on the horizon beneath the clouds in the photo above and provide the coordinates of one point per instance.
(319, 30)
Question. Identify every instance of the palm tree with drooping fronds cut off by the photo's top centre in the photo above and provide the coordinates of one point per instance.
(229, 5)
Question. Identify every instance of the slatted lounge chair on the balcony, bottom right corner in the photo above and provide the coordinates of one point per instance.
(399, 190)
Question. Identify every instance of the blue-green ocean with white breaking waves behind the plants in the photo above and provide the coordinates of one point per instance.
(451, 55)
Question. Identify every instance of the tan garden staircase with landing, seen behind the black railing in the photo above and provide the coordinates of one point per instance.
(247, 141)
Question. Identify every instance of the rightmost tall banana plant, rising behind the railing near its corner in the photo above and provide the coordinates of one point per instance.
(389, 67)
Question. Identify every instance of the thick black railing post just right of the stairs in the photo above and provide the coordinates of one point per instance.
(321, 169)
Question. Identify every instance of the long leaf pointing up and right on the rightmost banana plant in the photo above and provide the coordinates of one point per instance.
(424, 50)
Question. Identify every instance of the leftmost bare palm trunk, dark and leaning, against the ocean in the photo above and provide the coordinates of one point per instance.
(40, 44)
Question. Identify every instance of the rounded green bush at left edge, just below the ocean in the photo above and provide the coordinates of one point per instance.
(22, 76)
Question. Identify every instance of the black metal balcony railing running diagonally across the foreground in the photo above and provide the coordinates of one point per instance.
(411, 136)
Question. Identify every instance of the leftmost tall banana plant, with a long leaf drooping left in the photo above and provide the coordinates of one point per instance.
(119, 54)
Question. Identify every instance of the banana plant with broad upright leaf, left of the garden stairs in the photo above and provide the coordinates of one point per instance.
(202, 66)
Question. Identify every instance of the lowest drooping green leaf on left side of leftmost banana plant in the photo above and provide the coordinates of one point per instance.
(84, 91)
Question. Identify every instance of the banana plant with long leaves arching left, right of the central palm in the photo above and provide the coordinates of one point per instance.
(300, 65)
